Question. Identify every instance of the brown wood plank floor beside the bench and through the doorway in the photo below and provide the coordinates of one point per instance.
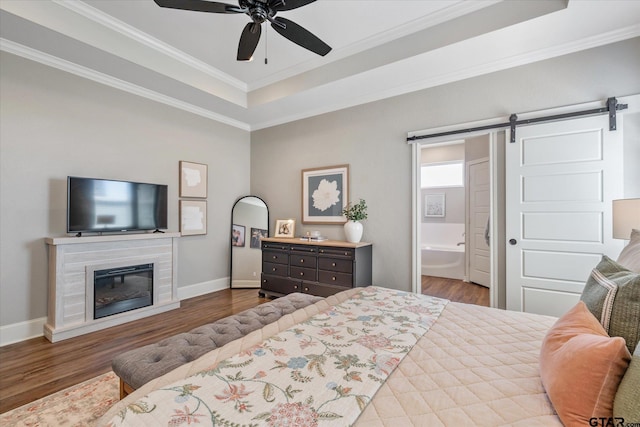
(34, 368)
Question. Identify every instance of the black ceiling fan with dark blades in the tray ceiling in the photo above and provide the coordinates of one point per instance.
(259, 11)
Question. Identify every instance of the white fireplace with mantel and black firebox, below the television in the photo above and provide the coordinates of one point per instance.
(84, 271)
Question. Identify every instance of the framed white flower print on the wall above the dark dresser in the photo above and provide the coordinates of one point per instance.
(325, 193)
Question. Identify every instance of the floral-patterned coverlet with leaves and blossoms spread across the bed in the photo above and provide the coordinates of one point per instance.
(322, 371)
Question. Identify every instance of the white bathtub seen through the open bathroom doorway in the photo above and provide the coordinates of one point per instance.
(443, 261)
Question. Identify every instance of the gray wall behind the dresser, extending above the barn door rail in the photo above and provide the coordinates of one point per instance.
(371, 138)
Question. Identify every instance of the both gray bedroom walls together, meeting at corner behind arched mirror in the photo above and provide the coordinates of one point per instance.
(55, 124)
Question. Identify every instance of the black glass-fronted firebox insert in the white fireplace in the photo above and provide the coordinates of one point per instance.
(121, 289)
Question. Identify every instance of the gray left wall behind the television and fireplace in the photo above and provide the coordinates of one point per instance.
(55, 124)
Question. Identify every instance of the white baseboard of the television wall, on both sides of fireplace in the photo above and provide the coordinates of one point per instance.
(21, 331)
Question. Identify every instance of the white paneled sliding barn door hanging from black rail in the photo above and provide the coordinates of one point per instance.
(560, 180)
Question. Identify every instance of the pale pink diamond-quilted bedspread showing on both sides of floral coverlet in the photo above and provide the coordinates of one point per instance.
(475, 366)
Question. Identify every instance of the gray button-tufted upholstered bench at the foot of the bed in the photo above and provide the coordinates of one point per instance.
(141, 365)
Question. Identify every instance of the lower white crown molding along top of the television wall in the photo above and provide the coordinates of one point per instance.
(96, 76)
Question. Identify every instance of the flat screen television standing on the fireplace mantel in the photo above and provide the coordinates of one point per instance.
(104, 205)
